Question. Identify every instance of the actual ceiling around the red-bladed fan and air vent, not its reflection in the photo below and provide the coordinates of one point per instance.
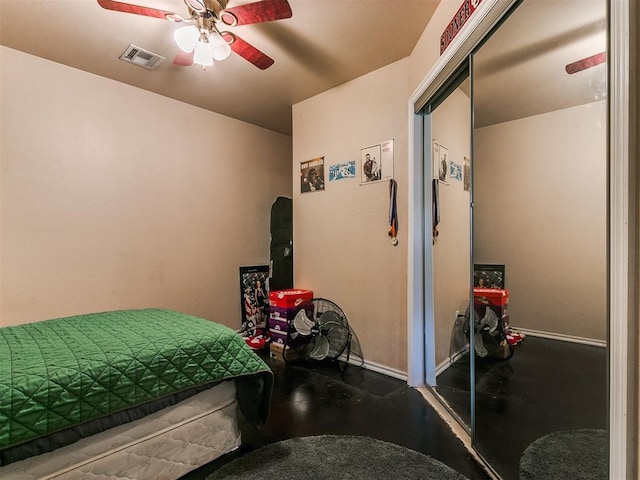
(324, 44)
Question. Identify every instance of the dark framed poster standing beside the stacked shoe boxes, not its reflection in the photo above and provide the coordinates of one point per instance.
(254, 296)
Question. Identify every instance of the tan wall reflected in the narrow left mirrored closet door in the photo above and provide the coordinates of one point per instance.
(451, 127)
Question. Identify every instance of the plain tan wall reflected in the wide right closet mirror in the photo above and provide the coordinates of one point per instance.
(540, 209)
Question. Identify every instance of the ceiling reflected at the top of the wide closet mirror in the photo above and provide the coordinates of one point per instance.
(520, 70)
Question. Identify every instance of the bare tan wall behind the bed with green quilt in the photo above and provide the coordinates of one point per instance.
(113, 197)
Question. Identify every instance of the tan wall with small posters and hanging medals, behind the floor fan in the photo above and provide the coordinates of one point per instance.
(342, 250)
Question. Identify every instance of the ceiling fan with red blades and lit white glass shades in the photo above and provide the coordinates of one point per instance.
(204, 39)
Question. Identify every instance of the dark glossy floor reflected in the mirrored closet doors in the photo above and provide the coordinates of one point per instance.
(547, 386)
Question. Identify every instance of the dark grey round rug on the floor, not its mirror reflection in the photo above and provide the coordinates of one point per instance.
(334, 456)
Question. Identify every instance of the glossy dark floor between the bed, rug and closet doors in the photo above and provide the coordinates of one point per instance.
(316, 399)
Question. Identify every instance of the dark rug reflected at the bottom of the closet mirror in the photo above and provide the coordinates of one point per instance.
(566, 455)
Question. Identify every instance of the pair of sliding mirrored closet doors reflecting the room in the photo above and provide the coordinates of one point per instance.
(528, 130)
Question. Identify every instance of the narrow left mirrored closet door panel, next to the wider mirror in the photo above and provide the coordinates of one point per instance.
(451, 133)
